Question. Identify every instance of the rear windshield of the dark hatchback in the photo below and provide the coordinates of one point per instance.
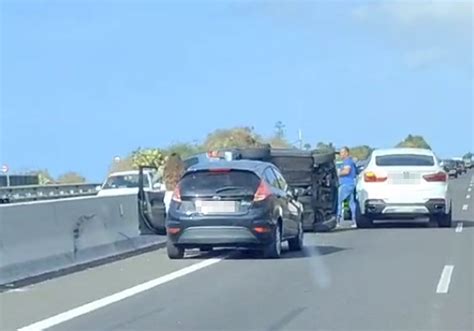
(219, 182)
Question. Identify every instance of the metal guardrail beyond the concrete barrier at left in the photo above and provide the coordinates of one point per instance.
(14, 194)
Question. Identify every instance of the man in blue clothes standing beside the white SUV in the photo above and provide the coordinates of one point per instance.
(347, 183)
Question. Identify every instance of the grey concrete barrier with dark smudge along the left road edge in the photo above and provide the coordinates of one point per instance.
(46, 236)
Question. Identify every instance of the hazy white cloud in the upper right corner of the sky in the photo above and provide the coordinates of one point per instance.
(427, 32)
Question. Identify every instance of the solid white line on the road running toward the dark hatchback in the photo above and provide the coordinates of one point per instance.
(94, 305)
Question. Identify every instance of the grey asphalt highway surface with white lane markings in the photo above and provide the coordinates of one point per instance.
(397, 276)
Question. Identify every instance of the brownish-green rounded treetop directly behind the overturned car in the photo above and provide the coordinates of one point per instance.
(235, 137)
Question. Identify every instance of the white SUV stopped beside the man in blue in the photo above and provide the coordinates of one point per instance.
(403, 183)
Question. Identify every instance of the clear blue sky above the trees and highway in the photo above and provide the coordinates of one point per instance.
(84, 81)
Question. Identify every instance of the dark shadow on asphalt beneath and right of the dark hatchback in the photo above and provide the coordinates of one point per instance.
(308, 251)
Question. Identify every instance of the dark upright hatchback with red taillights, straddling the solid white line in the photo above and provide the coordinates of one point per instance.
(234, 204)
